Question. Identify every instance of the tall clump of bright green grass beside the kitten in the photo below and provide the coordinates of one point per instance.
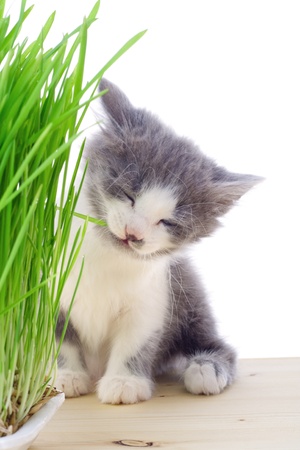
(42, 104)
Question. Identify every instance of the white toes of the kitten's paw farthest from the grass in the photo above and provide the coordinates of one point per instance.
(205, 378)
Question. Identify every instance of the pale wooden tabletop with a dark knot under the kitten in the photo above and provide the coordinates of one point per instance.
(260, 411)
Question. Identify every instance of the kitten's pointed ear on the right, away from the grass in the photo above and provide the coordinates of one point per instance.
(228, 188)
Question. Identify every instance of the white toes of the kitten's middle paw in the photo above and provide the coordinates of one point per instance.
(124, 389)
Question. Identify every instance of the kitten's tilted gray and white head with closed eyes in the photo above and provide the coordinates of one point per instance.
(156, 191)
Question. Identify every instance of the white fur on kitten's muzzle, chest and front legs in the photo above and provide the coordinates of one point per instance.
(121, 299)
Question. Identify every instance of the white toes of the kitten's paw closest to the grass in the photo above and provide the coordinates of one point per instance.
(73, 384)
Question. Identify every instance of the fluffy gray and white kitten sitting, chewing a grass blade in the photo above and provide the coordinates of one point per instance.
(140, 306)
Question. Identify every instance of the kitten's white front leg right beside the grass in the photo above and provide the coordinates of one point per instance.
(72, 377)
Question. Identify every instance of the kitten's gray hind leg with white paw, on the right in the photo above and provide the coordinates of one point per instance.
(210, 362)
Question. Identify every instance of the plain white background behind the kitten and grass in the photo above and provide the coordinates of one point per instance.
(227, 75)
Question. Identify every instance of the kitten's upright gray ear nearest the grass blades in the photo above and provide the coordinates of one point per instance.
(115, 103)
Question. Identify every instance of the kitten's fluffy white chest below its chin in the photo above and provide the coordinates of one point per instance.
(117, 294)
